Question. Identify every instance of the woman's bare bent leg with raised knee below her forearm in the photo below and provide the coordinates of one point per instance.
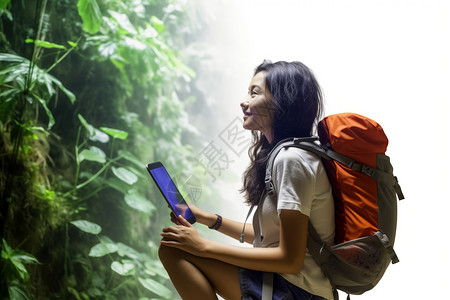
(200, 278)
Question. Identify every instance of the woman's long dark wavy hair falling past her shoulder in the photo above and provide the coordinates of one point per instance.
(297, 105)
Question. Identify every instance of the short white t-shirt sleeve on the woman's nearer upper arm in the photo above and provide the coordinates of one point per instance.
(294, 181)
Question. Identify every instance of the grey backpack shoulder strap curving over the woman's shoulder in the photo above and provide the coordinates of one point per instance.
(306, 143)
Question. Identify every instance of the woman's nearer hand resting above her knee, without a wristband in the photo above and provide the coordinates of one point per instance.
(184, 237)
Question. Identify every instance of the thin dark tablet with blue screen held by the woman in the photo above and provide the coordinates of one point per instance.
(169, 191)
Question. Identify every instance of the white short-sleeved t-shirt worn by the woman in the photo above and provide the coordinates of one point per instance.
(301, 184)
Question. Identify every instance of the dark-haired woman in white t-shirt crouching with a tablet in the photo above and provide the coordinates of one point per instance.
(284, 100)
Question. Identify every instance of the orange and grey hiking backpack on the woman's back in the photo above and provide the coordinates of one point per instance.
(352, 148)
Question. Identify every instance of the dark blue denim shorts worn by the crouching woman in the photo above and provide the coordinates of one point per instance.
(251, 287)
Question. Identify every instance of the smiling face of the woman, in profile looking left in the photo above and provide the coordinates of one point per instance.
(257, 106)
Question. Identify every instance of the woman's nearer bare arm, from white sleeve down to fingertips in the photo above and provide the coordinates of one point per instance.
(288, 257)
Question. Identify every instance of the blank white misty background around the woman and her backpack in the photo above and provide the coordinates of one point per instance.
(386, 59)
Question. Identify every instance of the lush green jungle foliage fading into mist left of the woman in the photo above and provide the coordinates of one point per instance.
(90, 91)
